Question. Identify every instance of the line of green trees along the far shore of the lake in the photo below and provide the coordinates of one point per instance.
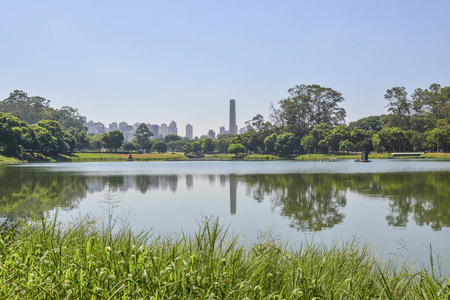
(309, 120)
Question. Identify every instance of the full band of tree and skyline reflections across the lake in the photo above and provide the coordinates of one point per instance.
(312, 202)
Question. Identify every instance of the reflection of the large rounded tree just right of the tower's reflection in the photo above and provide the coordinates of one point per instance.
(311, 201)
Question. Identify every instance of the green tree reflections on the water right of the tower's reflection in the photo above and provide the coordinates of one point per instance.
(315, 201)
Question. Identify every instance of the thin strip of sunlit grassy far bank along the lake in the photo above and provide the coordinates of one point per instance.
(179, 156)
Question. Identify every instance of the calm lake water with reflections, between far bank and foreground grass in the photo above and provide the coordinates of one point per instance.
(399, 206)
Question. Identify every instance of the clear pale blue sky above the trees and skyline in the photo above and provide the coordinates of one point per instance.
(158, 61)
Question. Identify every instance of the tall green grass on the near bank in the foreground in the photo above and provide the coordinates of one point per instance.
(45, 261)
